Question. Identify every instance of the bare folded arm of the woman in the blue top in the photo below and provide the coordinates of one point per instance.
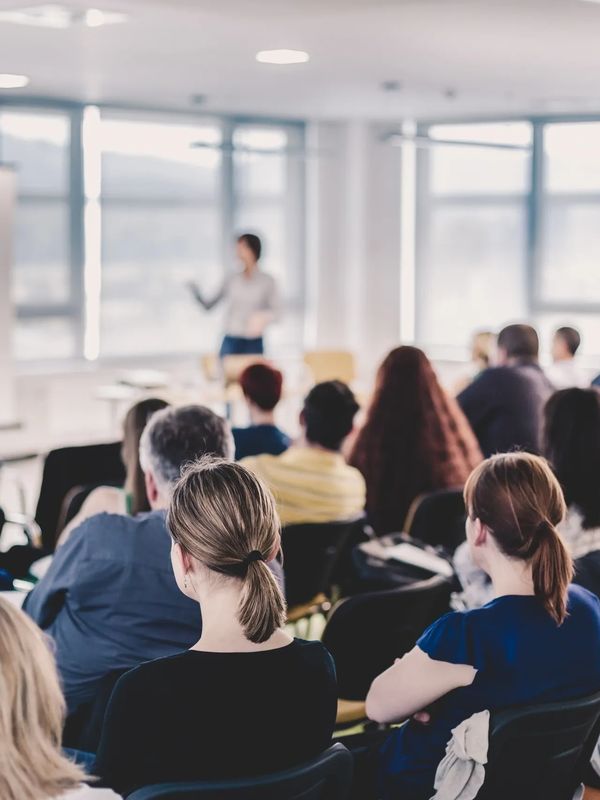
(412, 684)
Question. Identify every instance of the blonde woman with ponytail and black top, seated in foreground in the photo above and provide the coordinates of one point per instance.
(246, 699)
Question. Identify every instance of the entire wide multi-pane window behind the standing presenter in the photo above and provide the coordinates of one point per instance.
(117, 212)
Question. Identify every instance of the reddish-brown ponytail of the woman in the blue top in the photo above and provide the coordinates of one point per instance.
(552, 571)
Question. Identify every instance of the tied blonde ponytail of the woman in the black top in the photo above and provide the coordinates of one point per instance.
(262, 607)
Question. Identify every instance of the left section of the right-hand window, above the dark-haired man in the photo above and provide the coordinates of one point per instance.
(472, 228)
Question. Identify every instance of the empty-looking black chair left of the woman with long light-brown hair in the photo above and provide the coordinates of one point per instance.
(98, 464)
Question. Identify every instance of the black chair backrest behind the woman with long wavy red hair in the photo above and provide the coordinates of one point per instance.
(438, 518)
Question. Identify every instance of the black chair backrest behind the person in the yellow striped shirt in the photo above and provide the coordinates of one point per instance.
(312, 553)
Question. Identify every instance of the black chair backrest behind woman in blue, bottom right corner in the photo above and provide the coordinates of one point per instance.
(541, 751)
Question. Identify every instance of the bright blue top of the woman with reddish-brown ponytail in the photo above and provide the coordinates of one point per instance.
(521, 657)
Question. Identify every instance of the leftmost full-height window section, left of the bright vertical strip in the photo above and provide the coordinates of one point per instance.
(38, 145)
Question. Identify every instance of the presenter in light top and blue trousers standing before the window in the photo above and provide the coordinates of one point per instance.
(251, 299)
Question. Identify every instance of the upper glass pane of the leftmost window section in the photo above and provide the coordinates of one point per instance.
(38, 144)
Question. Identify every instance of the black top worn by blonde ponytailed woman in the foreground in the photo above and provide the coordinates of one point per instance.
(202, 716)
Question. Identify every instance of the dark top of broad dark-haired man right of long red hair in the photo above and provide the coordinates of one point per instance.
(504, 406)
